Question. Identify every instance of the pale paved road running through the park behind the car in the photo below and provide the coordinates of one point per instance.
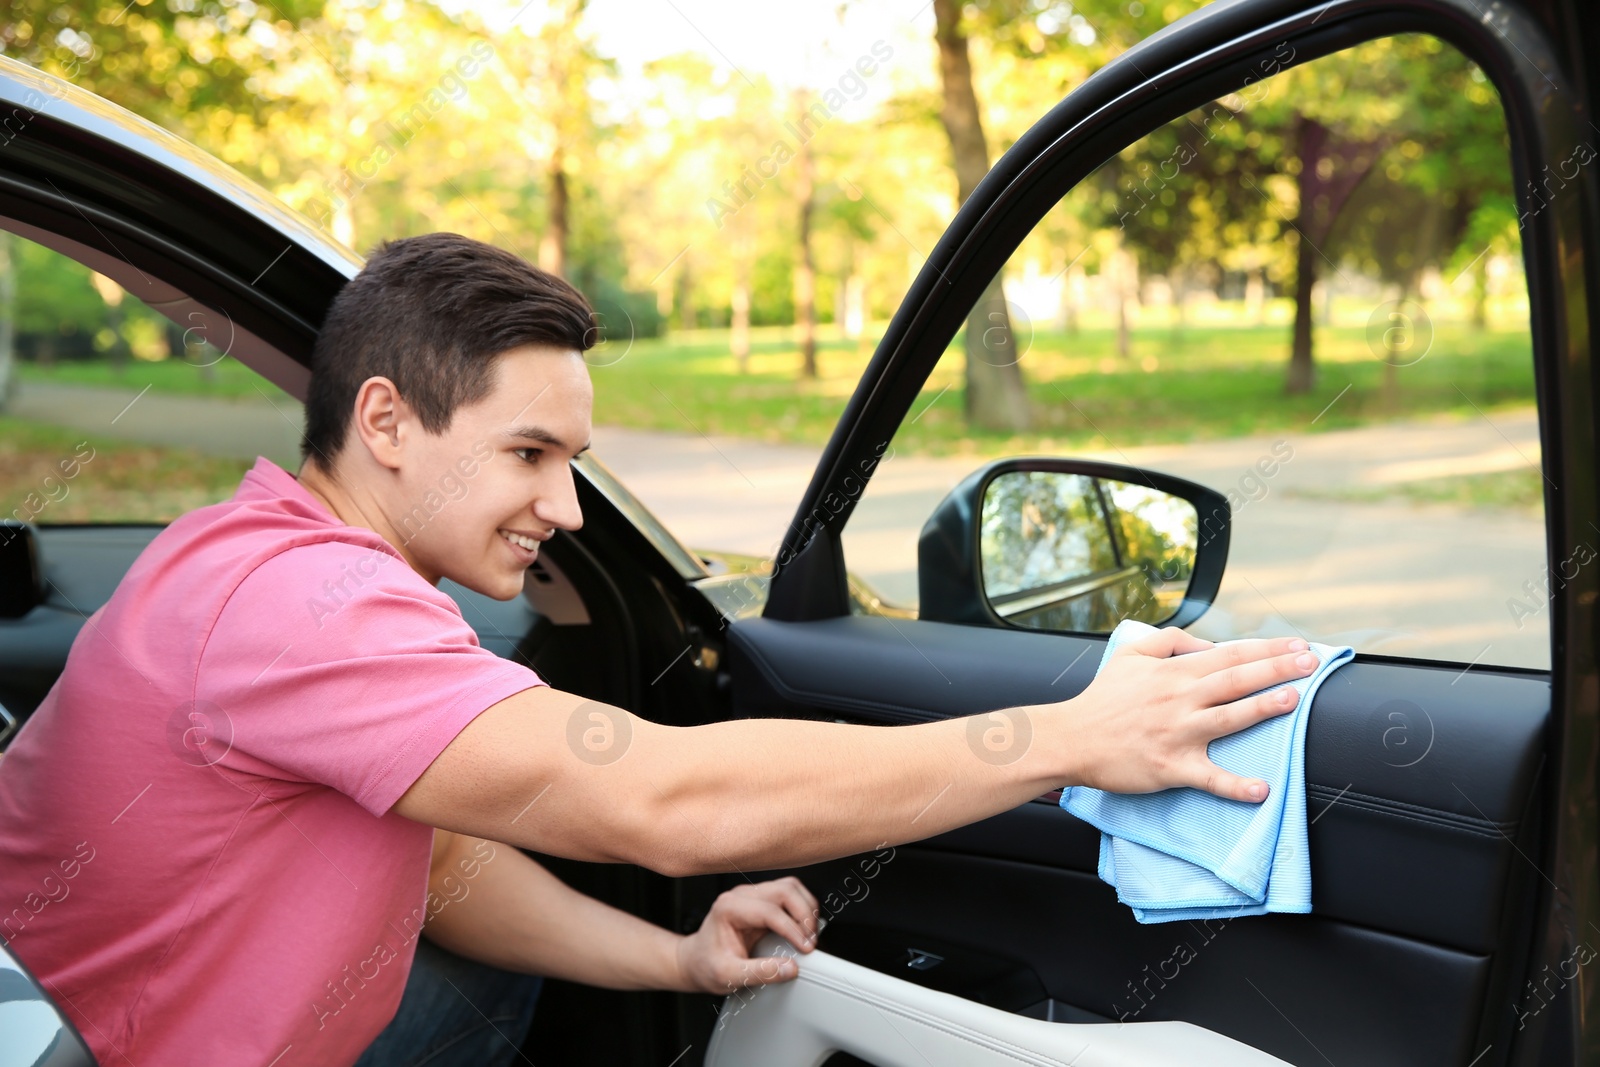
(1394, 578)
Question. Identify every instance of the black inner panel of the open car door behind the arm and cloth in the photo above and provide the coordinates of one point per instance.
(1422, 786)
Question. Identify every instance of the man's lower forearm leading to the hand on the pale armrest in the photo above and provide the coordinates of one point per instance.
(497, 906)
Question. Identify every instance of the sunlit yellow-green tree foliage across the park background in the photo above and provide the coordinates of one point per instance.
(305, 95)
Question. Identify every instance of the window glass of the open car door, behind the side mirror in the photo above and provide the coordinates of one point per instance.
(1308, 297)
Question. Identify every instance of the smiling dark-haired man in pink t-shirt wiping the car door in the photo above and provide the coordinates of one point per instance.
(279, 751)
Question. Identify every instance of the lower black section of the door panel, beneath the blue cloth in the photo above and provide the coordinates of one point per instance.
(1306, 989)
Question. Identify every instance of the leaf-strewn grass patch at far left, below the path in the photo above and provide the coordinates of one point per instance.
(57, 476)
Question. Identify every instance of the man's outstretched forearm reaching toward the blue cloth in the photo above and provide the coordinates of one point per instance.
(764, 794)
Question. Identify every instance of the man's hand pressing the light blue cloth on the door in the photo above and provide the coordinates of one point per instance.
(1148, 717)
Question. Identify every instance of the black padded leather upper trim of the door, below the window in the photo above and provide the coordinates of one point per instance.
(1418, 777)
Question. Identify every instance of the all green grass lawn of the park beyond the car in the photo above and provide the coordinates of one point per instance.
(1204, 385)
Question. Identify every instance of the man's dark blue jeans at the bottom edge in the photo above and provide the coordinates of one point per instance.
(457, 1013)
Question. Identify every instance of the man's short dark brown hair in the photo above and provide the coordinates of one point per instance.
(431, 314)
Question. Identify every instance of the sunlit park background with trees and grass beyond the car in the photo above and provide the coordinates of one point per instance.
(746, 201)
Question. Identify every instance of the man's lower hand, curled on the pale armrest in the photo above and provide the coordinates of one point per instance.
(716, 959)
